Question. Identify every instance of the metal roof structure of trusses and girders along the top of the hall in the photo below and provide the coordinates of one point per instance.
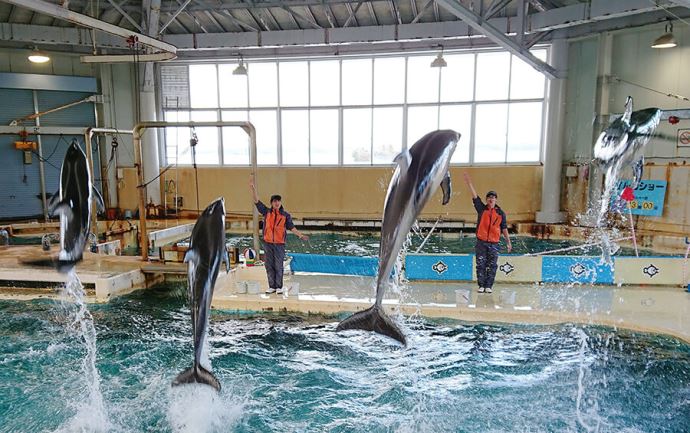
(216, 28)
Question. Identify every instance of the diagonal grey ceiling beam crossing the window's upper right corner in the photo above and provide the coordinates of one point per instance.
(497, 36)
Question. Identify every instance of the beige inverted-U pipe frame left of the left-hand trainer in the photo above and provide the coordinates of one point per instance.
(246, 126)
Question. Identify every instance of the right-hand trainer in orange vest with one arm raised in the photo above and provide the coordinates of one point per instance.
(491, 222)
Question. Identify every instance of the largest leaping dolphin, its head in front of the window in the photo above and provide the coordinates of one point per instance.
(420, 170)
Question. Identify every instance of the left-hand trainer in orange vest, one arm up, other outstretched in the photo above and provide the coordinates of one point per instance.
(276, 223)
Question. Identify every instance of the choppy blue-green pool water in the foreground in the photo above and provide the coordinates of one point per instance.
(293, 373)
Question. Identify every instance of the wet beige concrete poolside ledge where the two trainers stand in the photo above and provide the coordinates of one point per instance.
(655, 309)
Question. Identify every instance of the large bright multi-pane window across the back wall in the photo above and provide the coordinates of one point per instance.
(359, 110)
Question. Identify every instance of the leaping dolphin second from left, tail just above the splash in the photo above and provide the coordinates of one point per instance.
(204, 257)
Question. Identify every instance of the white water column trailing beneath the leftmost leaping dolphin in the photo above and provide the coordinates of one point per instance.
(91, 414)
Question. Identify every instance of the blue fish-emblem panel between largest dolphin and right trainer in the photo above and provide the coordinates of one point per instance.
(438, 267)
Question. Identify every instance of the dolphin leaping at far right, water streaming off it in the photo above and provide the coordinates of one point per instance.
(621, 143)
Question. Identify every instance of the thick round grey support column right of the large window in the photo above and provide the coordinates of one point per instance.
(550, 212)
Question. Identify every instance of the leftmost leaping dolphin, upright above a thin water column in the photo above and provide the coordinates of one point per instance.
(73, 203)
